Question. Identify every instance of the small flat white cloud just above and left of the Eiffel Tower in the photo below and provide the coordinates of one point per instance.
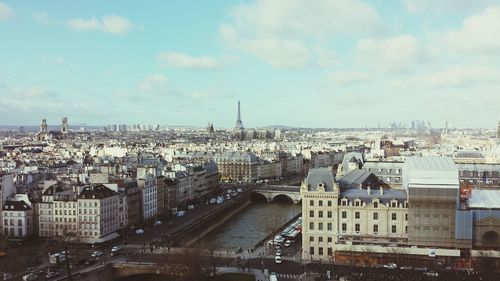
(180, 60)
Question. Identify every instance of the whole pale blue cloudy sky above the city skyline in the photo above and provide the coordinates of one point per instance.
(304, 63)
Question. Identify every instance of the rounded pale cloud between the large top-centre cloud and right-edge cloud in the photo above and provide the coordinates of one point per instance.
(395, 54)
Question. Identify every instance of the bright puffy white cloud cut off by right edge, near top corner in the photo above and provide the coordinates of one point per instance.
(480, 34)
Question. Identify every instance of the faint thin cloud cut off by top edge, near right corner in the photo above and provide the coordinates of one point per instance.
(445, 6)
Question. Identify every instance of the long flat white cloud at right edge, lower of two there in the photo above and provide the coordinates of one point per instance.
(462, 76)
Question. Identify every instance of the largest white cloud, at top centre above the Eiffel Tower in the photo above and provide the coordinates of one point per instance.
(276, 31)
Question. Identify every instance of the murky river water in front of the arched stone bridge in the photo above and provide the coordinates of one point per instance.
(251, 225)
